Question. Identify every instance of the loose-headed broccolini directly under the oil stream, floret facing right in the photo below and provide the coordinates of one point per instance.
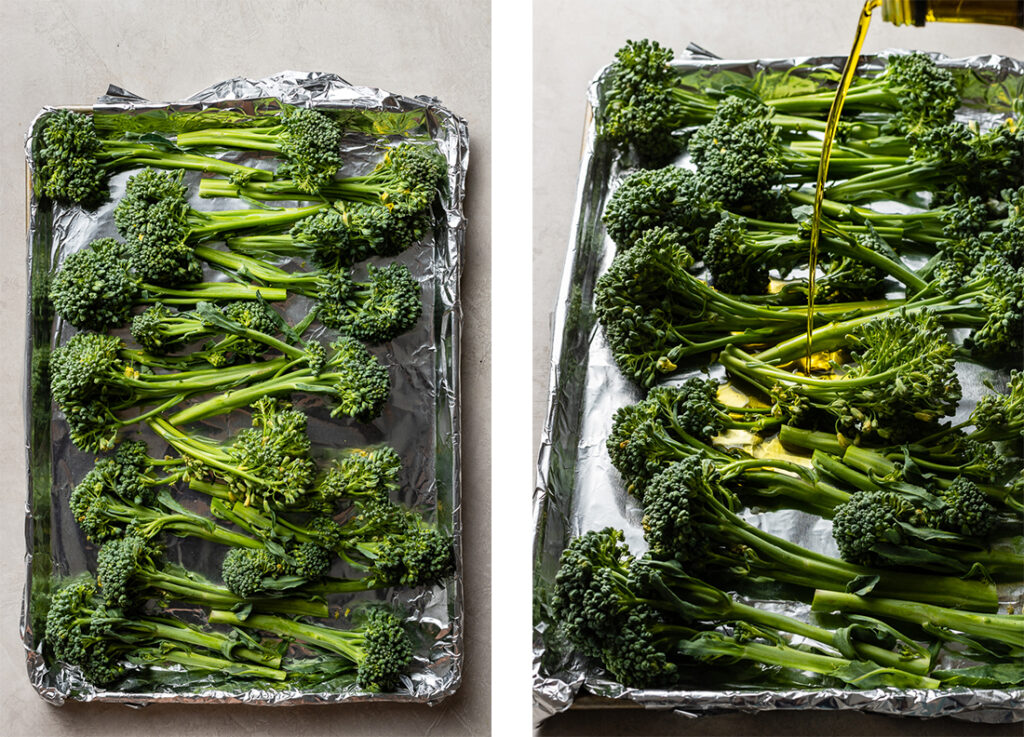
(903, 377)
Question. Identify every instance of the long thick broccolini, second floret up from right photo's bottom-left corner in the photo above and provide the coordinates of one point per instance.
(689, 515)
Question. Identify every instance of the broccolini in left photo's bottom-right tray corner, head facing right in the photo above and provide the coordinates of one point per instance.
(380, 649)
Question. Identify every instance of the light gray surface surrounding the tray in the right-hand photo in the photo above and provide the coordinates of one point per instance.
(573, 39)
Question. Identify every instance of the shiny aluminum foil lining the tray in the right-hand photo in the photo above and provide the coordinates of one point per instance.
(579, 490)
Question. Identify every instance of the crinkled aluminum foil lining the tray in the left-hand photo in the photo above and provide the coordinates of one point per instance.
(421, 421)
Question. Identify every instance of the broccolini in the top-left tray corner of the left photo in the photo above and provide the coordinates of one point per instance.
(72, 163)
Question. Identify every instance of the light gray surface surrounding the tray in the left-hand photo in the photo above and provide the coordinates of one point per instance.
(64, 53)
